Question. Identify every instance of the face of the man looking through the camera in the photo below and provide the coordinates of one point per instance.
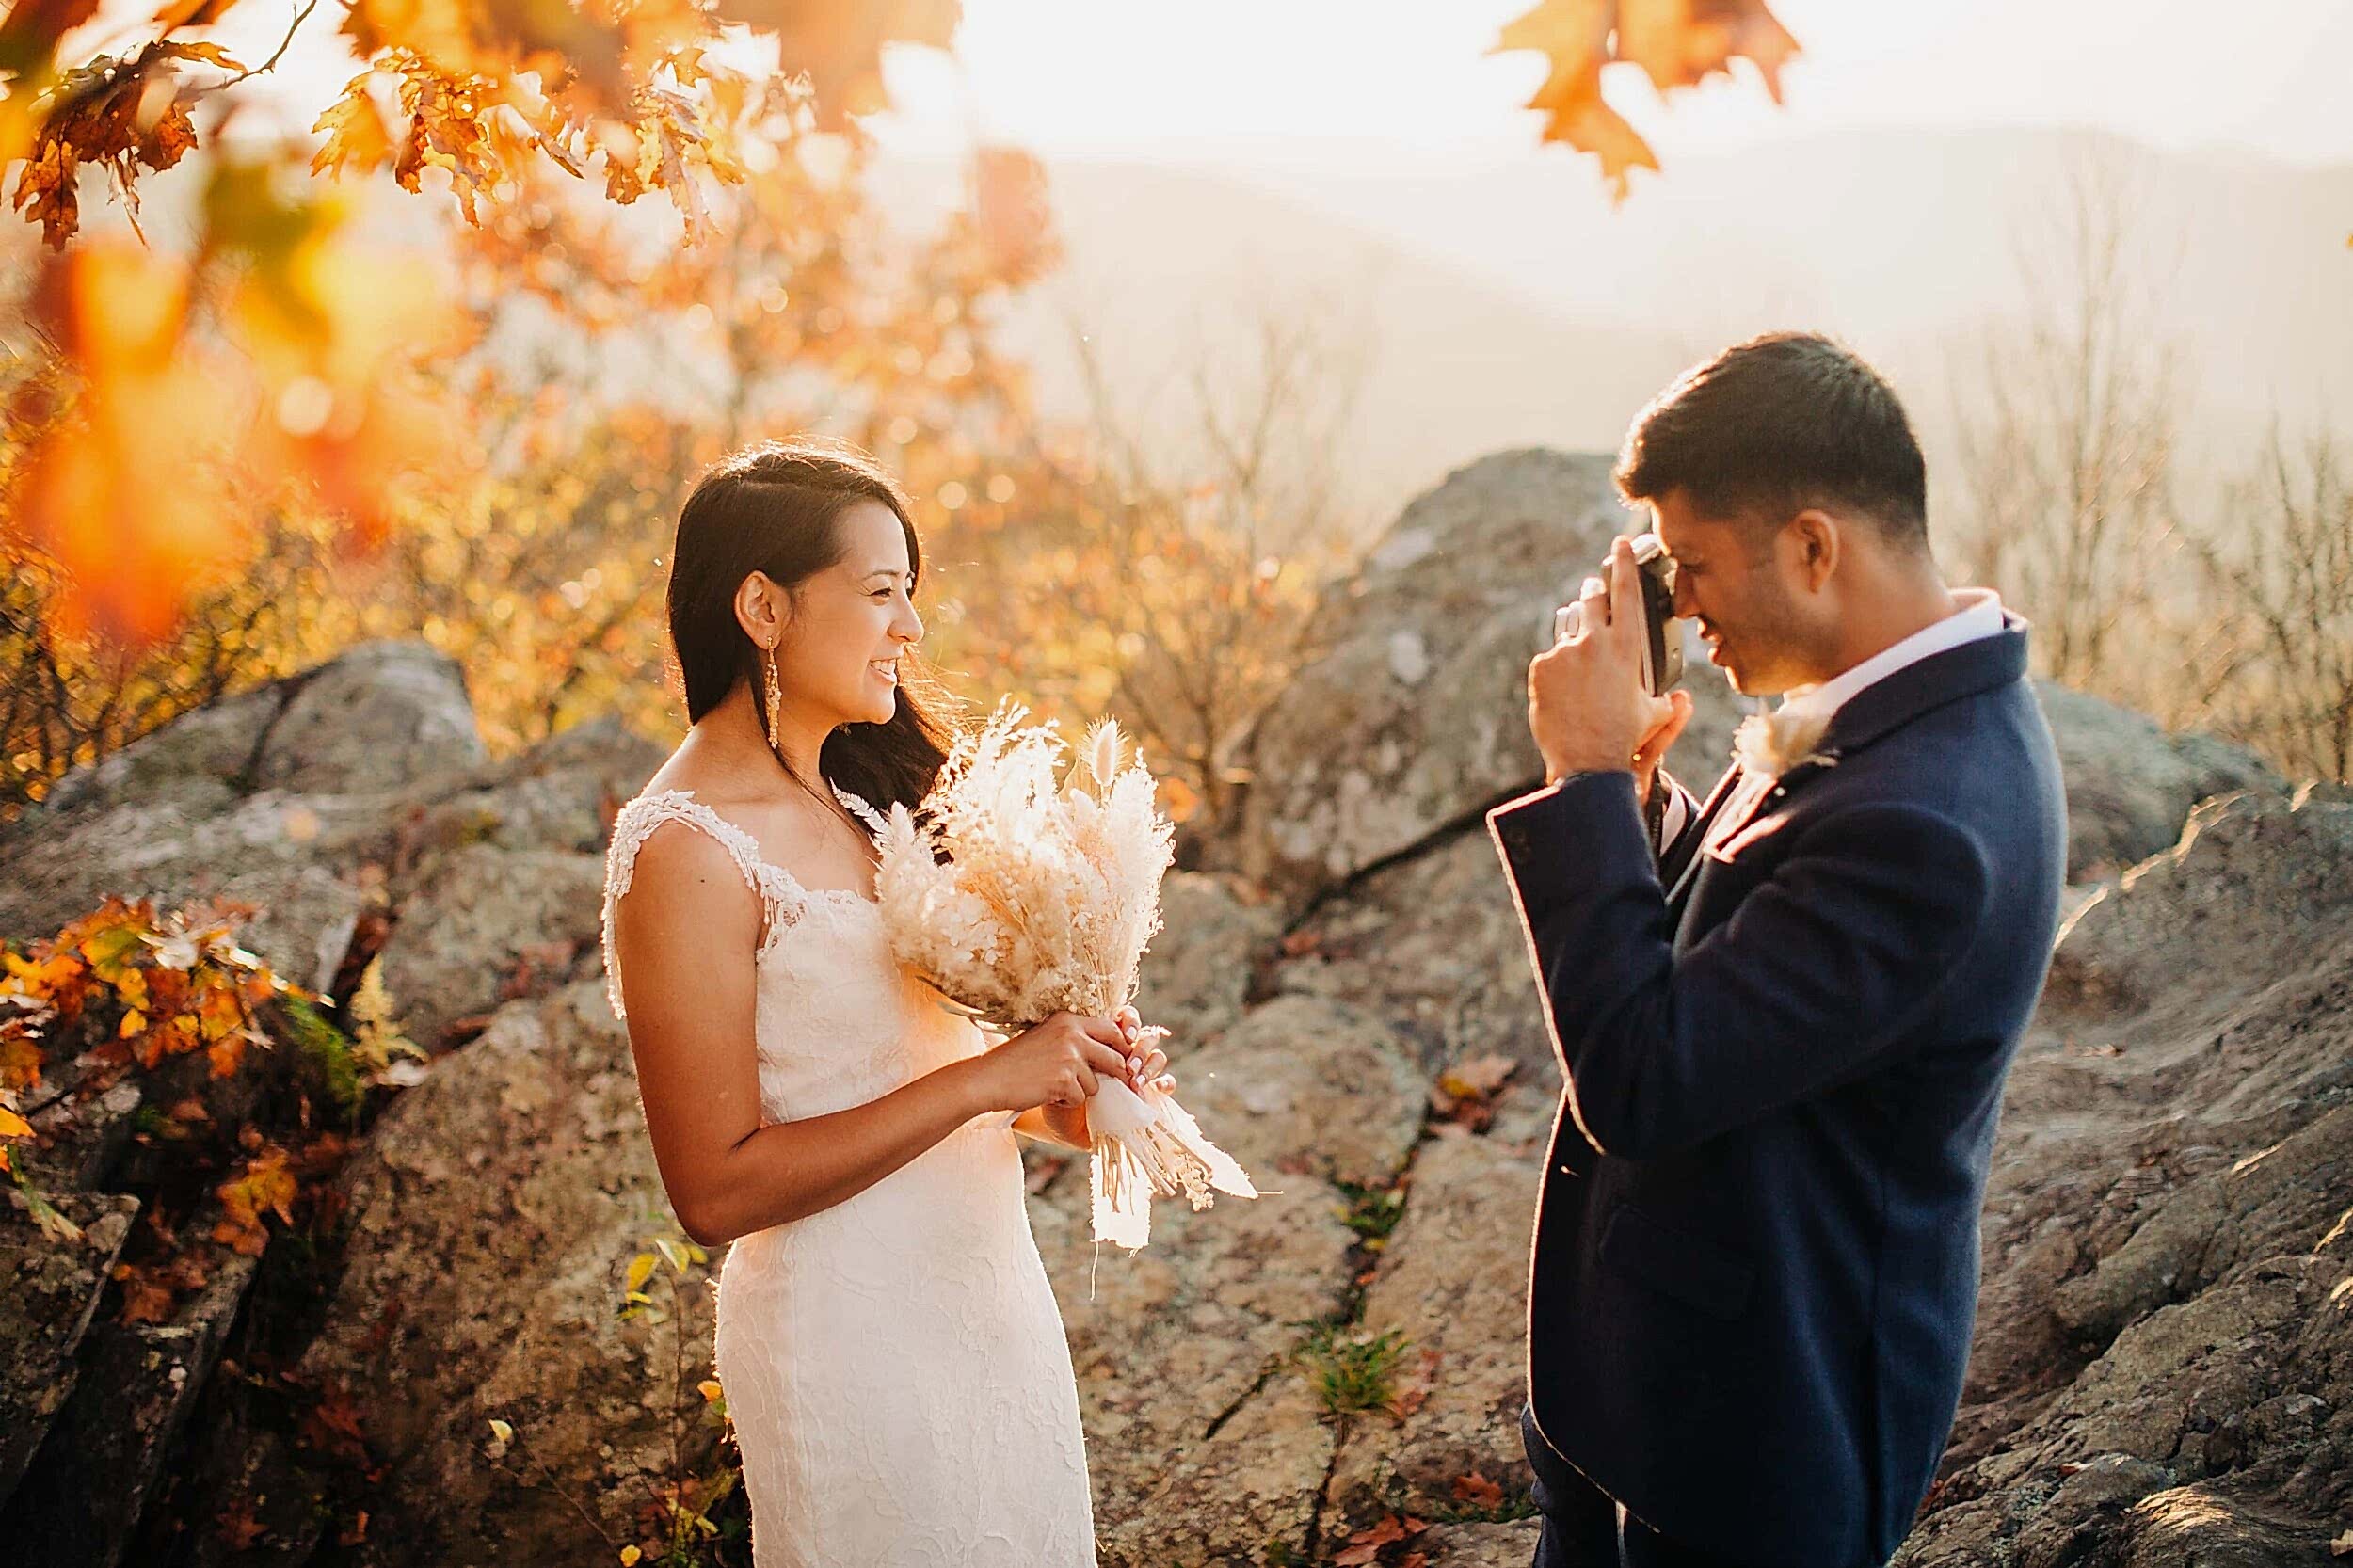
(1731, 578)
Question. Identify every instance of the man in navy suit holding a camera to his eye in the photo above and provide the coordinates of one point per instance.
(1785, 1014)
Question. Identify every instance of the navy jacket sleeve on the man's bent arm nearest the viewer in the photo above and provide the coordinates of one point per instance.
(1825, 966)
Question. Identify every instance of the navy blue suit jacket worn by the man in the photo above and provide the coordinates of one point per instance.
(1757, 1247)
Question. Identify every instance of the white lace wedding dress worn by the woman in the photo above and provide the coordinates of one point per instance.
(895, 1367)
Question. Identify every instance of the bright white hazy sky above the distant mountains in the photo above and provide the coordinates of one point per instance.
(1413, 79)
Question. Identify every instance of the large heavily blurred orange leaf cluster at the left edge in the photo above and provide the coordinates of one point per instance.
(152, 439)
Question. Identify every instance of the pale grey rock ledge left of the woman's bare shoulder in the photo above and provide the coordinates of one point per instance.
(302, 797)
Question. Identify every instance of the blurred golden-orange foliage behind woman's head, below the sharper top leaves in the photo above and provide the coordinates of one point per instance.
(185, 521)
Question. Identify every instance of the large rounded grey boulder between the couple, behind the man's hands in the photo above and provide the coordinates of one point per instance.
(1411, 712)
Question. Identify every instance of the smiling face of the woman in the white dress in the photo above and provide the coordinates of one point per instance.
(839, 656)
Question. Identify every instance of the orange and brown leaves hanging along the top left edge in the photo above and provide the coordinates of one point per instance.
(481, 91)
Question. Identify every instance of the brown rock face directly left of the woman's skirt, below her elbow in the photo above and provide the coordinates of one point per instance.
(493, 1221)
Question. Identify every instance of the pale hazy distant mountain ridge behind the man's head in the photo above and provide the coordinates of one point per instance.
(1505, 305)
